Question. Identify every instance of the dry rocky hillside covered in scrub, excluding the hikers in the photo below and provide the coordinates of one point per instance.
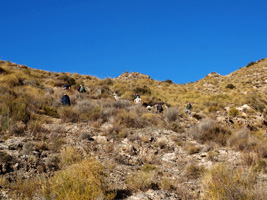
(101, 147)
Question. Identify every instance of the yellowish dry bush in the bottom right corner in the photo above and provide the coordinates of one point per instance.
(224, 182)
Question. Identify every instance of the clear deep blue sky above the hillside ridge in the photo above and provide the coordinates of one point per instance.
(165, 39)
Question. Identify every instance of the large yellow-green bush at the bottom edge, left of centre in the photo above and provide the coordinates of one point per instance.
(84, 180)
